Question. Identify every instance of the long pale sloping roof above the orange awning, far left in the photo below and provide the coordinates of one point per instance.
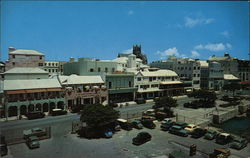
(31, 84)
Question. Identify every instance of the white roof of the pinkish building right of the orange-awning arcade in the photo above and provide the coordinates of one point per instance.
(75, 79)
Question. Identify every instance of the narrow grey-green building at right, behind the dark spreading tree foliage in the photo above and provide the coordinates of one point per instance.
(216, 76)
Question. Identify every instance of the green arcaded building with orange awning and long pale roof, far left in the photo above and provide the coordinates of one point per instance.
(23, 96)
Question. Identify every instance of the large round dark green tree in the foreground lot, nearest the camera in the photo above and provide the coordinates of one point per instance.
(98, 115)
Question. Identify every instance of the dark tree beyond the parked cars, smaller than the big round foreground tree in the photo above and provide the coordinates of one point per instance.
(165, 102)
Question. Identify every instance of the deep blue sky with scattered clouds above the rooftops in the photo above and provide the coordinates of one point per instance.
(63, 29)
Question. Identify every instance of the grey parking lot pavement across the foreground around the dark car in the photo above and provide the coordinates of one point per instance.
(65, 145)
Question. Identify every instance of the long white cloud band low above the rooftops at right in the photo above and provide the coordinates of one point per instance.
(215, 47)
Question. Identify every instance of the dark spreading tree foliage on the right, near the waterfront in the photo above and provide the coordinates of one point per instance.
(204, 95)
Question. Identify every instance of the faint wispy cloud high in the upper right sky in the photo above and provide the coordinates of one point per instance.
(192, 22)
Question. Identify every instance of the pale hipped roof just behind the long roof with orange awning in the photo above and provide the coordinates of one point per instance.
(26, 70)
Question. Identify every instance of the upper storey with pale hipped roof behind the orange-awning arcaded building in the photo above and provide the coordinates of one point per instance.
(25, 73)
